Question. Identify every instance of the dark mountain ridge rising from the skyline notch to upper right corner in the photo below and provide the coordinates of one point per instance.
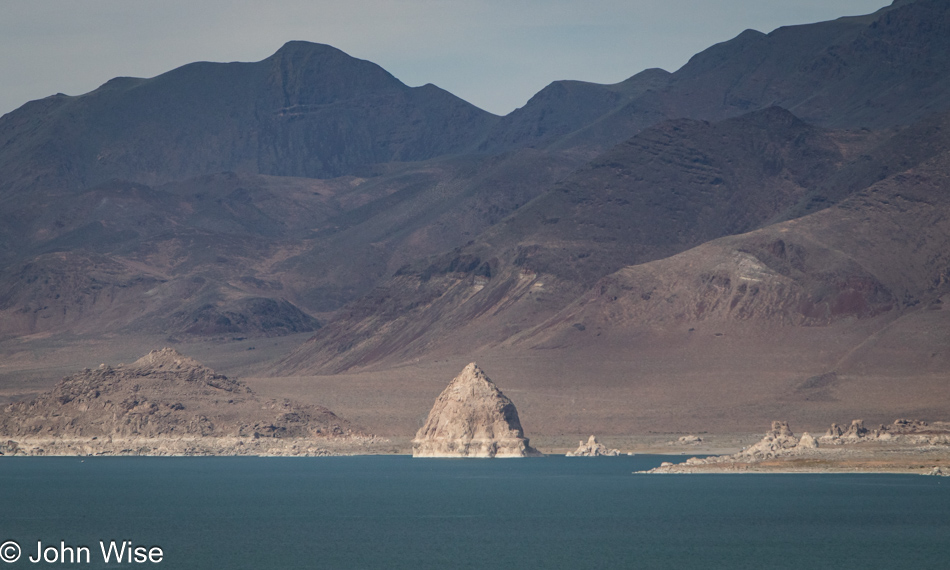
(885, 69)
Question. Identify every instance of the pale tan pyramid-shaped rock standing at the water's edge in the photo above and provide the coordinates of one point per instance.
(472, 418)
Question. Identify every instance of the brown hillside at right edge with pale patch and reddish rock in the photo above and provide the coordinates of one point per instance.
(885, 250)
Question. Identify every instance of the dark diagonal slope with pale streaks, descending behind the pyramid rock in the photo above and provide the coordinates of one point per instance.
(668, 189)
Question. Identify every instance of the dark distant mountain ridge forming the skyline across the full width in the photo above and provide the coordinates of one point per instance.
(310, 110)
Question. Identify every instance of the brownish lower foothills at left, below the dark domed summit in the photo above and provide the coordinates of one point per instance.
(243, 254)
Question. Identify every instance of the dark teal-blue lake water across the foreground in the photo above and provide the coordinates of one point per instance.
(396, 512)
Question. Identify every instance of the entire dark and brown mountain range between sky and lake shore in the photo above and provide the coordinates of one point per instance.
(761, 231)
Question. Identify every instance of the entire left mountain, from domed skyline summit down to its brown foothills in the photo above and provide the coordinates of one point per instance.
(117, 213)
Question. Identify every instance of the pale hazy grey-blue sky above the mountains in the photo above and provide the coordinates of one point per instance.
(495, 54)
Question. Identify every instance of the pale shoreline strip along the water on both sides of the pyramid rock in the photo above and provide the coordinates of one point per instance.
(855, 458)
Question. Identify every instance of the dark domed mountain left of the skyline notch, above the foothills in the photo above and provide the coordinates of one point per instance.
(309, 110)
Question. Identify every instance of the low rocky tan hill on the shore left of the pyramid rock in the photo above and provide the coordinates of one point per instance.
(164, 403)
